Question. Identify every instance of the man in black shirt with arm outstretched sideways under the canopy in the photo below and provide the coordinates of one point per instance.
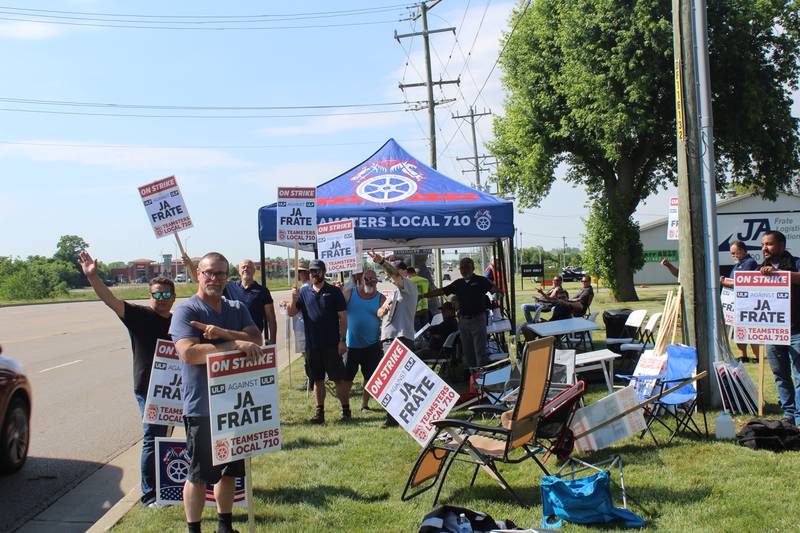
(470, 292)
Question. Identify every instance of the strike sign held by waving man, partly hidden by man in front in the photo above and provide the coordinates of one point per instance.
(164, 403)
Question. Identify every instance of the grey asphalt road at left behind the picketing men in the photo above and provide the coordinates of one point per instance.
(78, 359)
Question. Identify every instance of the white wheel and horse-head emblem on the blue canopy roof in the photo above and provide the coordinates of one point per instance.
(386, 182)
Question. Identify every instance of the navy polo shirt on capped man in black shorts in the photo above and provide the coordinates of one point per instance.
(321, 315)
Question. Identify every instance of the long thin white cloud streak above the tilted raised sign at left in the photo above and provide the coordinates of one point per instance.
(125, 157)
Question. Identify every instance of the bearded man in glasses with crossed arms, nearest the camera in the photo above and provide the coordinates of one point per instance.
(204, 324)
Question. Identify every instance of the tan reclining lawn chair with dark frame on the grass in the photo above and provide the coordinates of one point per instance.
(520, 436)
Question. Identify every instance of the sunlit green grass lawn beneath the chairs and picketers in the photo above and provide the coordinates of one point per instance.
(349, 477)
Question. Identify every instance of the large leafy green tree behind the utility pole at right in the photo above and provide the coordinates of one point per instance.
(590, 84)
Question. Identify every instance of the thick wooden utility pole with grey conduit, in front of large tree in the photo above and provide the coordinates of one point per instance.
(699, 271)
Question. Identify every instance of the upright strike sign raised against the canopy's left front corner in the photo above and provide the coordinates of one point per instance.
(297, 214)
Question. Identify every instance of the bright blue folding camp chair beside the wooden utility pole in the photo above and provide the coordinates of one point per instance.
(673, 411)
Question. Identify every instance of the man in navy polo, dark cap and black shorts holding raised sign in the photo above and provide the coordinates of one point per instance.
(325, 321)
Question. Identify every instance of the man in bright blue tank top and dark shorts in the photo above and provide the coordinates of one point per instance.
(363, 330)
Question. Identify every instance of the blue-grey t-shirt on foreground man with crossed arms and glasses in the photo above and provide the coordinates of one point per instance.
(234, 316)
